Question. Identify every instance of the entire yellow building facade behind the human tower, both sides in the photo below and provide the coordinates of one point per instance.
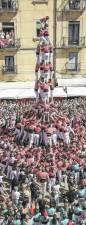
(19, 25)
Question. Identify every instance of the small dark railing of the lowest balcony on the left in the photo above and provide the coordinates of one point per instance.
(9, 69)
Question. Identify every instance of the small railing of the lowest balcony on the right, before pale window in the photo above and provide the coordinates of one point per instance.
(72, 67)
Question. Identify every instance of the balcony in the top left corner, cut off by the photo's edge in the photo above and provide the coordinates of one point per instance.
(8, 6)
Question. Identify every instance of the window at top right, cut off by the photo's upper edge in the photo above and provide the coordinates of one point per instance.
(74, 4)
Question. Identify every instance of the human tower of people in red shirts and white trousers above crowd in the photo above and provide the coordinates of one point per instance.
(44, 70)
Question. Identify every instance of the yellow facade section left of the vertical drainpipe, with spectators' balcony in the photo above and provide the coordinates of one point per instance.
(20, 20)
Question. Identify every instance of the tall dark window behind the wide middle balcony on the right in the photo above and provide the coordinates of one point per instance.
(73, 33)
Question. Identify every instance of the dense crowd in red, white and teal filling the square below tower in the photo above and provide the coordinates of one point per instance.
(42, 179)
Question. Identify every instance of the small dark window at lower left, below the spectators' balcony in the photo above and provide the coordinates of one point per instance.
(9, 64)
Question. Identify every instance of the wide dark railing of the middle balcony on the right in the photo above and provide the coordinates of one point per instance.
(70, 42)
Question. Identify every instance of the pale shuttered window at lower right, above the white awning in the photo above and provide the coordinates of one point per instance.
(73, 61)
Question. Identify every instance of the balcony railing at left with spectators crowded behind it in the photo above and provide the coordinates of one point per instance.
(9, 43)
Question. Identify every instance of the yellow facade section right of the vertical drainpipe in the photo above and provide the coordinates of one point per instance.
(71, 38)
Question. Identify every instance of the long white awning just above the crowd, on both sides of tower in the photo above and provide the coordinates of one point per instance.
(16, 93)
